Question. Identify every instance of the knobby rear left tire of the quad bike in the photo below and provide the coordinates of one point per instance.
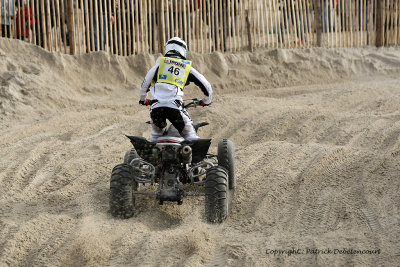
(122, 186)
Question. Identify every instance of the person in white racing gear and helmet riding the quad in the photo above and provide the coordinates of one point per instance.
(166, 81)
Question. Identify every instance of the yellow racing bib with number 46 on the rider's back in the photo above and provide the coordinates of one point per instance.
(174, 71)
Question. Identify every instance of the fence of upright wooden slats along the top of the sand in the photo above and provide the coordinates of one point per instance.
(128, 27)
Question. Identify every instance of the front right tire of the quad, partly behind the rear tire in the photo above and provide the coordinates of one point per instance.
(226, 159)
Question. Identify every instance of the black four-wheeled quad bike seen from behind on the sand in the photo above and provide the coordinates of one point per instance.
(175, 164)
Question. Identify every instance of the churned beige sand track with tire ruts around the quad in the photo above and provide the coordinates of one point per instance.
(317, 136)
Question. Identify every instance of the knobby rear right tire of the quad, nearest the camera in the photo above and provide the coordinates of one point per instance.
(217, 194)
